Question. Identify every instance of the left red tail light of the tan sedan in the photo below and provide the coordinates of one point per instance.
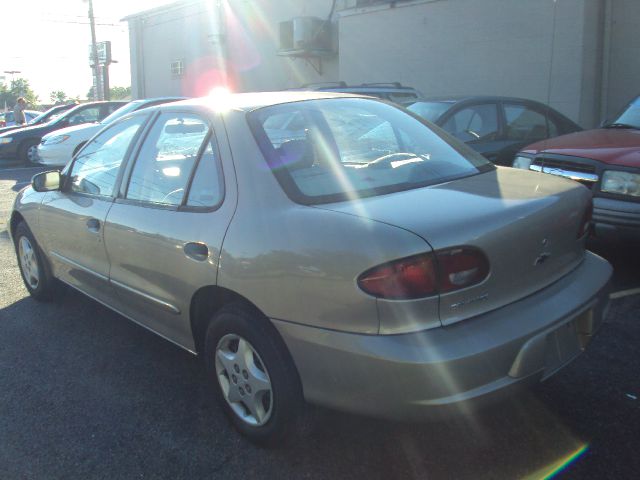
(426, 274)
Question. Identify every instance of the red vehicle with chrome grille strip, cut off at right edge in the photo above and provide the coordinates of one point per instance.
(607, 161)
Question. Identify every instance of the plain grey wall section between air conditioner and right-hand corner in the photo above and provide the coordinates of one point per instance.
(532, 48)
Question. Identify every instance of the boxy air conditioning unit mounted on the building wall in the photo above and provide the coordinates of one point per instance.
(306, 34)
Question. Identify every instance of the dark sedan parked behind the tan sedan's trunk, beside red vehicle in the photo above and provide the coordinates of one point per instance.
(496, 127)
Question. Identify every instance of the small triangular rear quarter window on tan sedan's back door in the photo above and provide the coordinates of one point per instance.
(207, 187)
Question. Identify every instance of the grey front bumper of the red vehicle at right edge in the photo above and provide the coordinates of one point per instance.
(616, 220)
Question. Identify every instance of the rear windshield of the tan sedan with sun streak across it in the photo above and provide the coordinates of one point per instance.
(338, 149)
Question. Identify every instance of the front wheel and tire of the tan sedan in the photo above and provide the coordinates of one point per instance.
(34, 269)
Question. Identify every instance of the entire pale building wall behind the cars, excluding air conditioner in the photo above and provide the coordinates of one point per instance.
(579, 56)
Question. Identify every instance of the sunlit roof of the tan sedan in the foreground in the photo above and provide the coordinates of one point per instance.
(253, 101)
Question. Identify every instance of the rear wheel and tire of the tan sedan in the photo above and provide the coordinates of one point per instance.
(253, 375)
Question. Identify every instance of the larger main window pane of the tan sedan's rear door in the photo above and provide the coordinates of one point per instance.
(163, 167)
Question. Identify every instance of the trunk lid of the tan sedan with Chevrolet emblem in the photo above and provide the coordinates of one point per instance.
(526, 223)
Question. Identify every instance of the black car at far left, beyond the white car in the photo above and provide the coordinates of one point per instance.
(22, 144)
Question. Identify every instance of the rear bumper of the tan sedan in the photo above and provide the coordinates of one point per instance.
(455, 368)
